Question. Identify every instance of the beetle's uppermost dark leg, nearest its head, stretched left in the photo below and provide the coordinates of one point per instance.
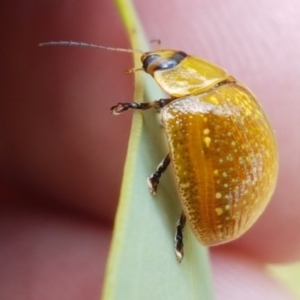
(121, 107)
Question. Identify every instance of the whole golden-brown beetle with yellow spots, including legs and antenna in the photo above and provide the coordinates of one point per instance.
(221, 144)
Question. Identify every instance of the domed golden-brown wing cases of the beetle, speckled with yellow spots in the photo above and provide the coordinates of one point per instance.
(225, 160)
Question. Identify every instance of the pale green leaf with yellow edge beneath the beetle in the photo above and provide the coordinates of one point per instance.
(142, 263)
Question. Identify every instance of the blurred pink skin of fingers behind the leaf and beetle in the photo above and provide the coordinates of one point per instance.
(62, 153)
